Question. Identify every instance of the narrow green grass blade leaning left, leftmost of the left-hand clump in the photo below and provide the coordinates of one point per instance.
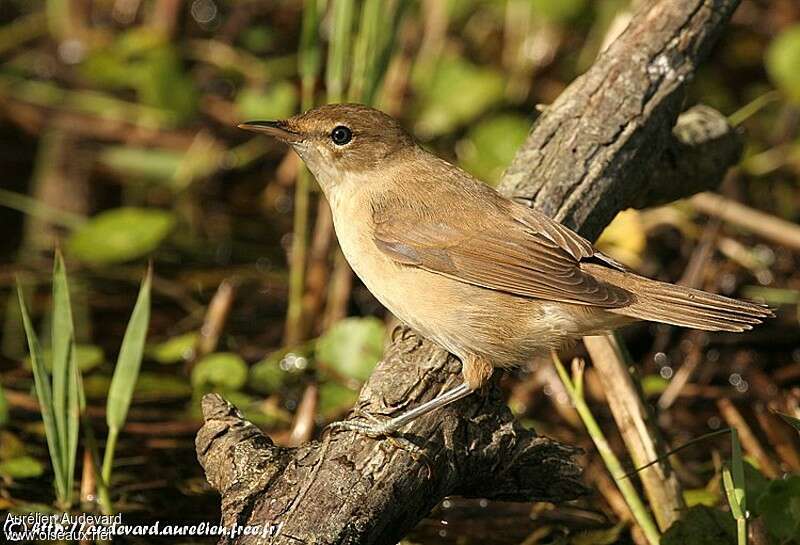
(42, 381)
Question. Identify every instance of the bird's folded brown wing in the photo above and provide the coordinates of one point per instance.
(501, 246)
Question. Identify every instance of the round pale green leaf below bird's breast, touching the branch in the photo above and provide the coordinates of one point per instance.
(352, 346)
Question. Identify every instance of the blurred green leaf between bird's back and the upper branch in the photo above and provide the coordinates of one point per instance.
(491, 144)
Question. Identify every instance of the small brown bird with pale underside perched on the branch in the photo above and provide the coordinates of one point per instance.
(486, 278)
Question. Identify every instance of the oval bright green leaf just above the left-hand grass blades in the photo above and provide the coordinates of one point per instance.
(121, 234)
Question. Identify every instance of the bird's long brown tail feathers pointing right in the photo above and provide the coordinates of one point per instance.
(678, 305)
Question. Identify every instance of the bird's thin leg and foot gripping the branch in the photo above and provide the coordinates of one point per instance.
(476, 373)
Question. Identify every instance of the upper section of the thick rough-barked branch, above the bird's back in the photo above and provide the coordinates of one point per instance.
(593, 152)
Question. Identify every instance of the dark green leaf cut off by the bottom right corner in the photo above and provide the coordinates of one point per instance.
(780, 508)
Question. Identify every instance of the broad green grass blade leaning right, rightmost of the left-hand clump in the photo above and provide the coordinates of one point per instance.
(126, 372)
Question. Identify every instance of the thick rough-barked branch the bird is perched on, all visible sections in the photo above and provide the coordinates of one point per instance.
(609, 142)
